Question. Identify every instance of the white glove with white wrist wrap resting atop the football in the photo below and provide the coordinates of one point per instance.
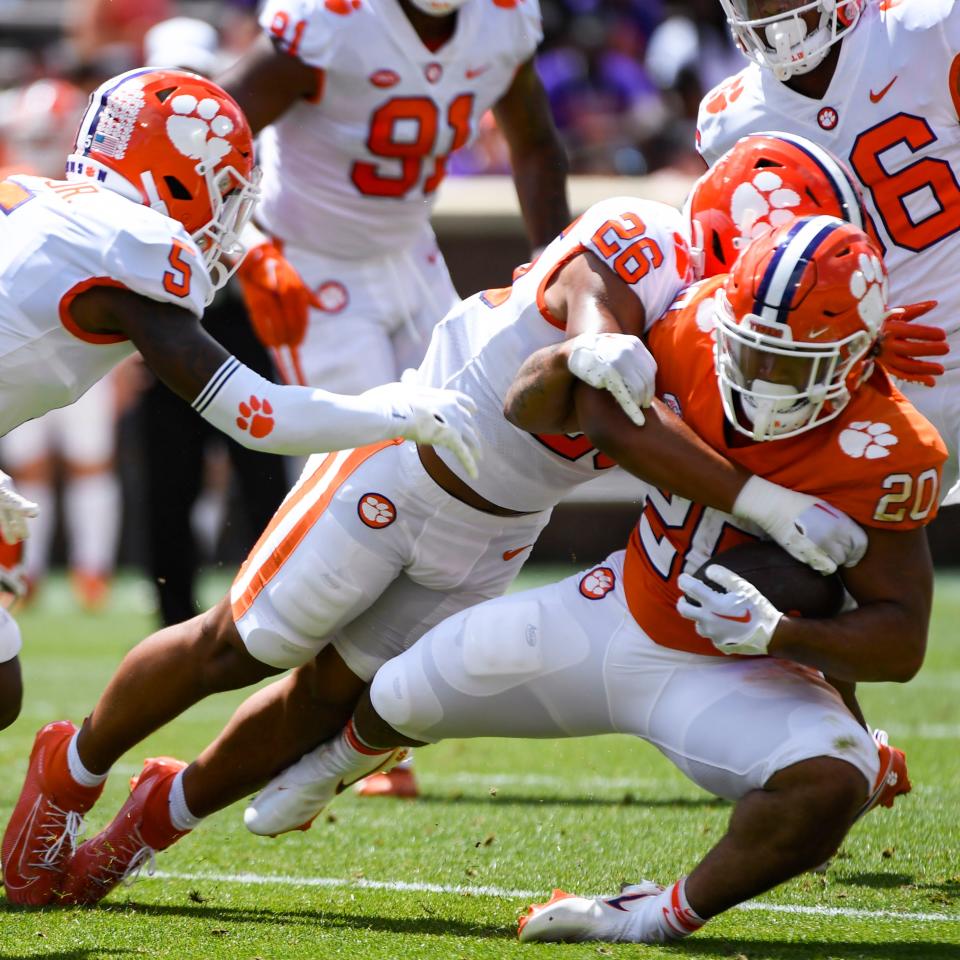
(808, 528)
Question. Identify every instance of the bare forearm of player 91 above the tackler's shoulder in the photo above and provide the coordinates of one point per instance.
(540, 177)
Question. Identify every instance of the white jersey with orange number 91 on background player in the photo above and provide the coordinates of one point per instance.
(354, 174)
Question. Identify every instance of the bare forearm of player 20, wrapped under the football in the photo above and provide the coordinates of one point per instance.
(880, 642)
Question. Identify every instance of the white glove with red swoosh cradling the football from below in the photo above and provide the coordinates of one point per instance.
(742, 620)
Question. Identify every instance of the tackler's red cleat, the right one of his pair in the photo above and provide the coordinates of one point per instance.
(136, 833)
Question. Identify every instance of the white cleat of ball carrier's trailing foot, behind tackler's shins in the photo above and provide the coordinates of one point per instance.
(292, 800)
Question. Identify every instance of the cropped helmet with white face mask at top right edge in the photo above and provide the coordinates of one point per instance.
(783, 40)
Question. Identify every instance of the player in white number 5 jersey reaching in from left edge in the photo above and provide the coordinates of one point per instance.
(124, 255)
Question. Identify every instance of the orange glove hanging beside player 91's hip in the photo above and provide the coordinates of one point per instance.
(277, 300)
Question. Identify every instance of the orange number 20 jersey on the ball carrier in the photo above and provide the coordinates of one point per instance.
(879, 461)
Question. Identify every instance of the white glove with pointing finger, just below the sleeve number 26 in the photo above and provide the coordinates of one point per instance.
(617, 362)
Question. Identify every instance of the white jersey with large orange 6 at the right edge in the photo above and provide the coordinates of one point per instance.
(891, 112)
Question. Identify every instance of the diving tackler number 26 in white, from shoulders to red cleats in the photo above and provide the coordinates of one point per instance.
(375, 546)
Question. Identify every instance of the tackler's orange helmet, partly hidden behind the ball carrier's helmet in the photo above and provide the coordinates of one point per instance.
(762, 182)
